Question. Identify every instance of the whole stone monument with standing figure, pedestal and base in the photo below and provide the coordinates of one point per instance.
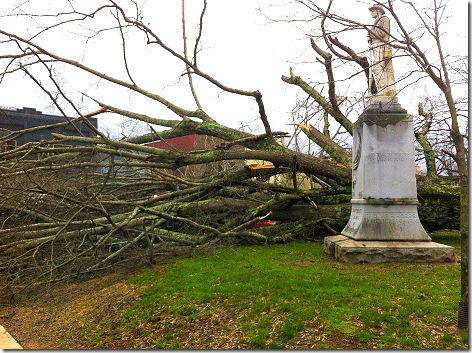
(384, 225)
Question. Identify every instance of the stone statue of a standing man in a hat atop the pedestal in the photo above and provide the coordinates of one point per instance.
(382, 64)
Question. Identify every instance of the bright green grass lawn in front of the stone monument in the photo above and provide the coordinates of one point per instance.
(279, 292)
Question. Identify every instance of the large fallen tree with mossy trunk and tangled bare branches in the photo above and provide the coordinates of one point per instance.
(70, 211)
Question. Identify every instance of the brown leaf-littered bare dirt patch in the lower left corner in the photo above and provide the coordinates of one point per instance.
(52, 321)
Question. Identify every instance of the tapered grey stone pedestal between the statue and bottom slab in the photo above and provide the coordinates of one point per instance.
(384, 201)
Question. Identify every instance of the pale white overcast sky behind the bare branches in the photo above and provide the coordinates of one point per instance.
(241, 47)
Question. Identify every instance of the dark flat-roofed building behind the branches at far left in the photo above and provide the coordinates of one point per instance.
(14, 119)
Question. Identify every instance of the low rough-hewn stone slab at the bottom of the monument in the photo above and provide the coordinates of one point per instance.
(344, 249)
